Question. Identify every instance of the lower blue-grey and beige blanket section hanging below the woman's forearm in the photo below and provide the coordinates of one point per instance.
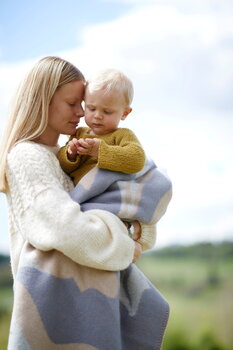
(61, 305)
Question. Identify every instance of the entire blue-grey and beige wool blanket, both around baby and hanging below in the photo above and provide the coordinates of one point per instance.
(61, 305)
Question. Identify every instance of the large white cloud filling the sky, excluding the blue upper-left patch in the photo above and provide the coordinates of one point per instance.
(179, 55)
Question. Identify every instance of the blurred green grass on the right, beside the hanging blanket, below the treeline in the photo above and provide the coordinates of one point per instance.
(199, 292)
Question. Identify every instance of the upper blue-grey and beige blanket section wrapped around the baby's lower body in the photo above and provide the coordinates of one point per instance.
(143, 196)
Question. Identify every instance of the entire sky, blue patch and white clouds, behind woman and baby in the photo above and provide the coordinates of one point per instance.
(179, 55)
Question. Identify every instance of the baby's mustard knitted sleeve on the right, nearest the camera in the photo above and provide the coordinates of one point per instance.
(127, 155)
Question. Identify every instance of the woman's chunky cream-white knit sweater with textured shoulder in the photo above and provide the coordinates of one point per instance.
(42, 213)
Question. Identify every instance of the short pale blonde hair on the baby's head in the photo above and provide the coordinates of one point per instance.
(112, 79)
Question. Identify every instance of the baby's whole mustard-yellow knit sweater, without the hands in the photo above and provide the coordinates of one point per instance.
(118, 151)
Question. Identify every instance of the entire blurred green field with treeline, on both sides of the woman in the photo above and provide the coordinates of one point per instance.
(196, 281)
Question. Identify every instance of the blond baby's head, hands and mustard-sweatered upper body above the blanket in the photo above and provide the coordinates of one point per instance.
(108, 98)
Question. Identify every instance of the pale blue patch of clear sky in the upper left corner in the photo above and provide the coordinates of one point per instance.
(30, 29)
